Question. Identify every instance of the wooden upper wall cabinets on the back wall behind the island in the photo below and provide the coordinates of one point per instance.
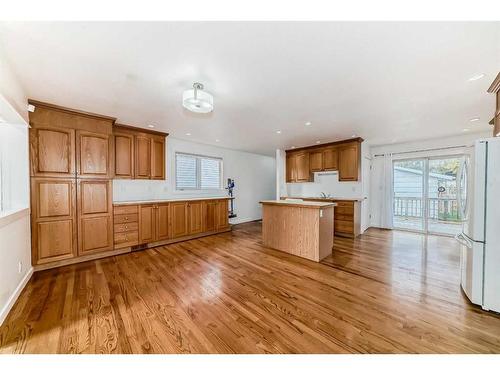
(343, 156)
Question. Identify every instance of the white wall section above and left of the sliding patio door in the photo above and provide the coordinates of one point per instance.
(410, 150)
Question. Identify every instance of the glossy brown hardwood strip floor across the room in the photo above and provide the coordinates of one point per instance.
(385, 292)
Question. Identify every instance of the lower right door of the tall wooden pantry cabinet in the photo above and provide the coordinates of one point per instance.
(95, 216)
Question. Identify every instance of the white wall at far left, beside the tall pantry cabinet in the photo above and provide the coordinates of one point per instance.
(15, 249)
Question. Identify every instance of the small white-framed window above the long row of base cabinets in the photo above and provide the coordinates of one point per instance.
(196, 172)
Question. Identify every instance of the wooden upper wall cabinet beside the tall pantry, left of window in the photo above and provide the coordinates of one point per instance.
(139, 154)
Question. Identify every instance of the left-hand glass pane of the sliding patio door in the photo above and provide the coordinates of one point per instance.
(408, 203)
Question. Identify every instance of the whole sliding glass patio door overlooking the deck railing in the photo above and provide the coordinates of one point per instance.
(425, 194)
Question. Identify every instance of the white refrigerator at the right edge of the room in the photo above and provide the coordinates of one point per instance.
(479, 207)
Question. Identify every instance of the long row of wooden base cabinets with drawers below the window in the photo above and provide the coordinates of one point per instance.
(149, 223)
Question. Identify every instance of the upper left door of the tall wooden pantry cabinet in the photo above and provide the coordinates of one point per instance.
(52, 152)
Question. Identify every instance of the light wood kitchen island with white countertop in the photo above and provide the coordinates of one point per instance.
(300, 228)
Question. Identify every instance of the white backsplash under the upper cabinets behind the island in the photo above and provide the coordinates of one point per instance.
(326, 183)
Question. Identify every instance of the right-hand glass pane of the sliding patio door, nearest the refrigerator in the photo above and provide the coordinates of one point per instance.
(444, 216)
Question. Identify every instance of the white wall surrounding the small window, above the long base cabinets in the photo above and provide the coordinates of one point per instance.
(254, 175)
